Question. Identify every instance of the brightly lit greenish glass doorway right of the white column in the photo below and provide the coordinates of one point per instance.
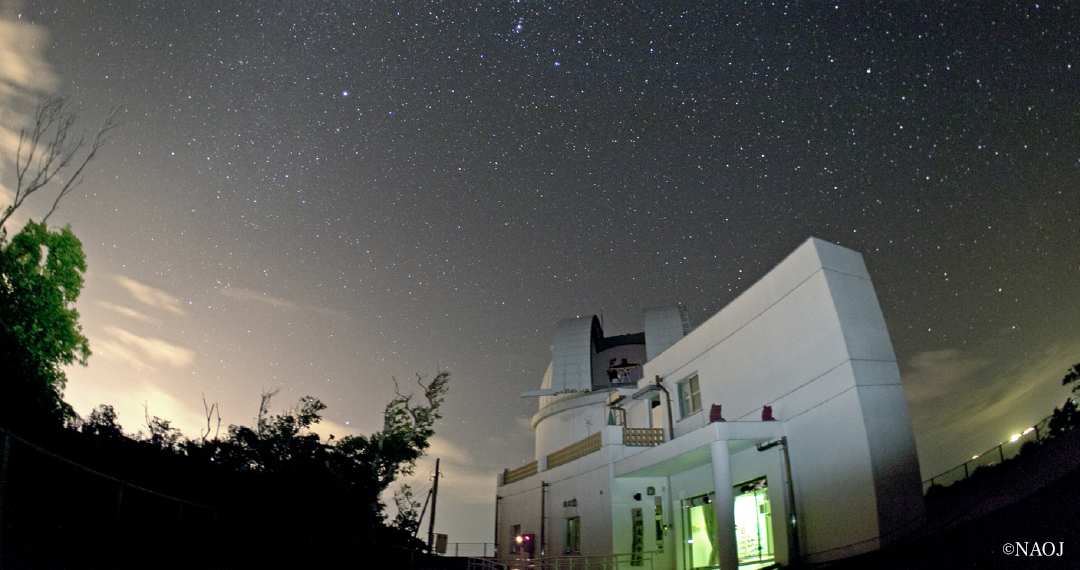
(754, 525)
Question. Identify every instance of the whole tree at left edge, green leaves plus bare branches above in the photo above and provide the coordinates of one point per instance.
(42, 272)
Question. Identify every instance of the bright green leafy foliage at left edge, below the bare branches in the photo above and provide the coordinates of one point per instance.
(42, 275)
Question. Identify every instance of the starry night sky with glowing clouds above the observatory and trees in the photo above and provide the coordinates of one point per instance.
(323, 196)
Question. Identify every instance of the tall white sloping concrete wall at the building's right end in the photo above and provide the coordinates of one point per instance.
(809, 340)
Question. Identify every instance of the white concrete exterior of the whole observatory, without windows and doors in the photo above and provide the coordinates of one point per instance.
(808, 340)
